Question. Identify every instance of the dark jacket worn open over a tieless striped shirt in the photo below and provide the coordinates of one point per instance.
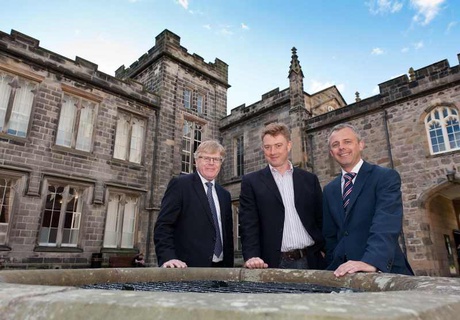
(261, 215)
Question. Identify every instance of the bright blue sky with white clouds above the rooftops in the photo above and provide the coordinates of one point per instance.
(352, 44)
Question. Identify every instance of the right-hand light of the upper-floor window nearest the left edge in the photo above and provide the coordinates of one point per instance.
(22, 107)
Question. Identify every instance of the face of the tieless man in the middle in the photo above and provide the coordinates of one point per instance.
(276, 150)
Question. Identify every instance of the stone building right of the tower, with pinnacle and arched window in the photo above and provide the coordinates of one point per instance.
(412, 125)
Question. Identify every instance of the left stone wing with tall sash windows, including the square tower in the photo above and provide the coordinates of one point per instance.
(85, 157)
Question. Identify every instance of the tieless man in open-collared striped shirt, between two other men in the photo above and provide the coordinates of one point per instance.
(280, 210)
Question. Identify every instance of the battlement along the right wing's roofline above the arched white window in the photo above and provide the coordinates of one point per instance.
(426, 78)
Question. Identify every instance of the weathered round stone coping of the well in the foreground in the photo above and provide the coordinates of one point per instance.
(52, 294)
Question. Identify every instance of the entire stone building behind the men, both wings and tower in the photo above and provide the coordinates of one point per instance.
(86, 157)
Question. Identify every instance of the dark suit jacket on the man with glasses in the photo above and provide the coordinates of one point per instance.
(185, 230)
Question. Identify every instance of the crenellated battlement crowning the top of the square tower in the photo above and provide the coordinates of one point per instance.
(167, 43)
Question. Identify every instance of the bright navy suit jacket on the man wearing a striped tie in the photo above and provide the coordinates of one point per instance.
(369, 230)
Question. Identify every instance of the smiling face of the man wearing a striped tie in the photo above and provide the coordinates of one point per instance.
(345, 148)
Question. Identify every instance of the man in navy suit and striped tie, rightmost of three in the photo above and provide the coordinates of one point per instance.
(362, 211)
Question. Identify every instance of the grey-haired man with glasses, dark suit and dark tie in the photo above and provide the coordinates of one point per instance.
(195, 227)
